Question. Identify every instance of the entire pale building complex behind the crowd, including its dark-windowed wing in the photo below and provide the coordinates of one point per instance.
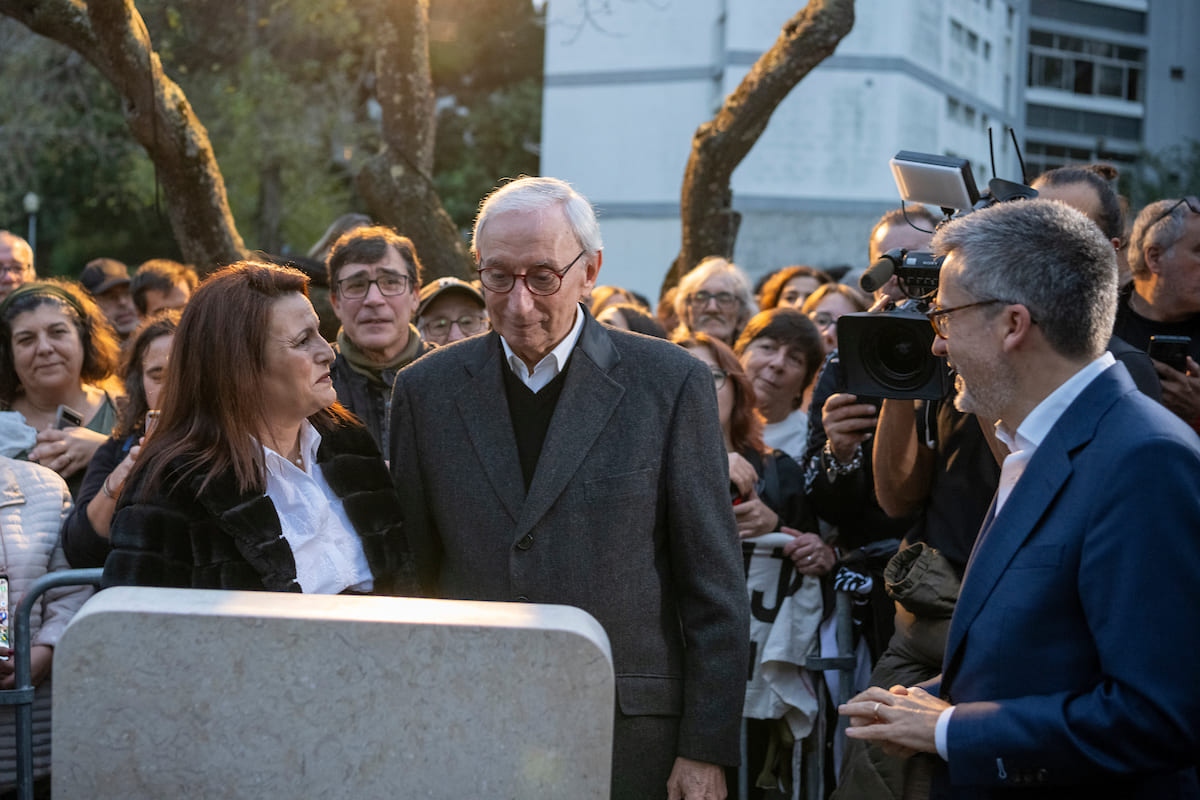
(628, 83)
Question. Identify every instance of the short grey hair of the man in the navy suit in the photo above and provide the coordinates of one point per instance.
(1047, 257)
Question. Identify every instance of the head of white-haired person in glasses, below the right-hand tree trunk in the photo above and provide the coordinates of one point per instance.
(715, 299)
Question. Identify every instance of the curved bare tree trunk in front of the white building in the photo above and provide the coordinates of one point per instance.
(706, 206)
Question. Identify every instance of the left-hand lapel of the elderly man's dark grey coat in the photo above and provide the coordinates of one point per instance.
(485, 416)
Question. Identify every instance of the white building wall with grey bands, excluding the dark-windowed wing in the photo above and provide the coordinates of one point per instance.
(626, 92)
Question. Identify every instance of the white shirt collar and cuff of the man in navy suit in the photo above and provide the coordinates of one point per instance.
(1023, 444)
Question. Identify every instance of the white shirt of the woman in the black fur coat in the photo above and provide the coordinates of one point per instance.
(328, 552)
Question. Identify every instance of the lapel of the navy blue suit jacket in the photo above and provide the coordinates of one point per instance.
(1031, 498)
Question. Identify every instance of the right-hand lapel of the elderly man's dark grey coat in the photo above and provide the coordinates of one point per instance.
(589, 401)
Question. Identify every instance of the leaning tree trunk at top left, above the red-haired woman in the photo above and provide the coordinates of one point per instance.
(112, 35)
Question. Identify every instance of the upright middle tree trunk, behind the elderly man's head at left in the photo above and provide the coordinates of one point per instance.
(398, 184)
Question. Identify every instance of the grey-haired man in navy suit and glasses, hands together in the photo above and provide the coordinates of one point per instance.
(1071, 667)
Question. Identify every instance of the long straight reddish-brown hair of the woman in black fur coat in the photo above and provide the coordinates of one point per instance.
(213, 414)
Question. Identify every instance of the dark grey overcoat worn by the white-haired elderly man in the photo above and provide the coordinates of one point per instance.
(628, 515)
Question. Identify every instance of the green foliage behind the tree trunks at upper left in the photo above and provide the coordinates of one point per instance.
(284, 89)
